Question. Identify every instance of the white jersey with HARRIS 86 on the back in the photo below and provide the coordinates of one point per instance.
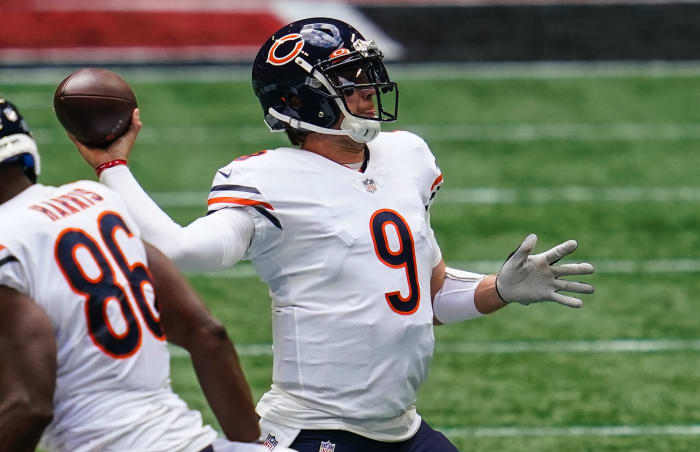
(75, 250)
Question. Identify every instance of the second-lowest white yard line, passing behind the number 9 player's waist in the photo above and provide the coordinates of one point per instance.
(518, 347)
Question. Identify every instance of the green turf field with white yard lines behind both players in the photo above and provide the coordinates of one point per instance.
(611, 161)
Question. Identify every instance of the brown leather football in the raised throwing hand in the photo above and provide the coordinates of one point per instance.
(94, 105)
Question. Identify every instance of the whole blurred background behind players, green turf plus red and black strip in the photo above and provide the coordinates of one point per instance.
(570, 119)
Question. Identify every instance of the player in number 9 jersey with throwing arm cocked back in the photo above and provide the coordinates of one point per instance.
(339, 230)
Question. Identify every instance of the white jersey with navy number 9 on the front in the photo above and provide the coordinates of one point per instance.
(348, 258)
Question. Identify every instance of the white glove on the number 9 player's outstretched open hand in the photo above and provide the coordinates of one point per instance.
(529, 279)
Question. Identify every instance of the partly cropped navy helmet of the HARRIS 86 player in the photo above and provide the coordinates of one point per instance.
(16, 142)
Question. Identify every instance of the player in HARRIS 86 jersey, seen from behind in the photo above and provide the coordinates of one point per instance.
(85, 307)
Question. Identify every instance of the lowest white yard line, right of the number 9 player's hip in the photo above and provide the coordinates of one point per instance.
(606, 430)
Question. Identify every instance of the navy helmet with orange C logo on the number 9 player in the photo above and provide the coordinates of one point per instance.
(303, 72)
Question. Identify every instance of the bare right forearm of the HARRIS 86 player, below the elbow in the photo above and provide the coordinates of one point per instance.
(224, 384)
